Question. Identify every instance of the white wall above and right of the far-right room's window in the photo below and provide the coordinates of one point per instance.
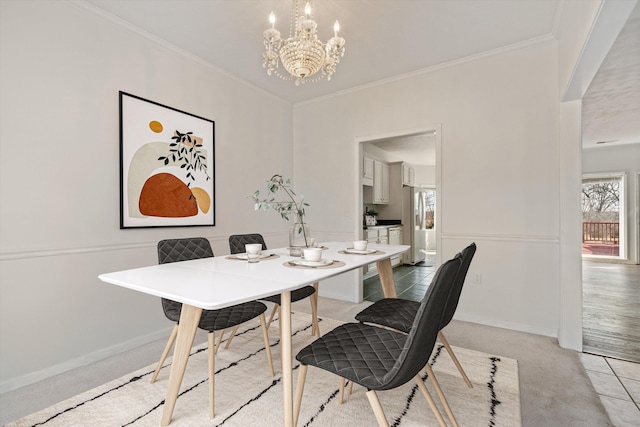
(626, 159)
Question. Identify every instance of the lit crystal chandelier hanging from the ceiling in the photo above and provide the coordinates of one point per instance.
(302, 54)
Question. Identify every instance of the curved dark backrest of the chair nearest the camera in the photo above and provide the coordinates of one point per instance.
(424, 331)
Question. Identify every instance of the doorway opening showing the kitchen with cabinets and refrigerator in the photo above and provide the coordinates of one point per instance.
(406, 167)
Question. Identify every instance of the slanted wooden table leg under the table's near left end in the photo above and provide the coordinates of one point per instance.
(189, 319)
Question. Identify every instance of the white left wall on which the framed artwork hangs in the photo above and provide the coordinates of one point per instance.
(61, 68)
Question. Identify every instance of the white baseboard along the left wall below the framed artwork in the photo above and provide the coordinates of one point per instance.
(43, 374)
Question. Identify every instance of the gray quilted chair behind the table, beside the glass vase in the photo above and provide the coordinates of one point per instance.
(236, 246)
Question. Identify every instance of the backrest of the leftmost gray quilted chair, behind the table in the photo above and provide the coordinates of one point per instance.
(174, 250)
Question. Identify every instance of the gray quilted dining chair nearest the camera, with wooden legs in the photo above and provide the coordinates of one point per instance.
(378, 358)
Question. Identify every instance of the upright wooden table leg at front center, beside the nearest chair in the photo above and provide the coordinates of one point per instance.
(285, 347)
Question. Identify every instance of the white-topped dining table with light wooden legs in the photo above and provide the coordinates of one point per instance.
(219, 282)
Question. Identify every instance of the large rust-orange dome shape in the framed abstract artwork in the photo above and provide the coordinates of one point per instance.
(164, 195)
